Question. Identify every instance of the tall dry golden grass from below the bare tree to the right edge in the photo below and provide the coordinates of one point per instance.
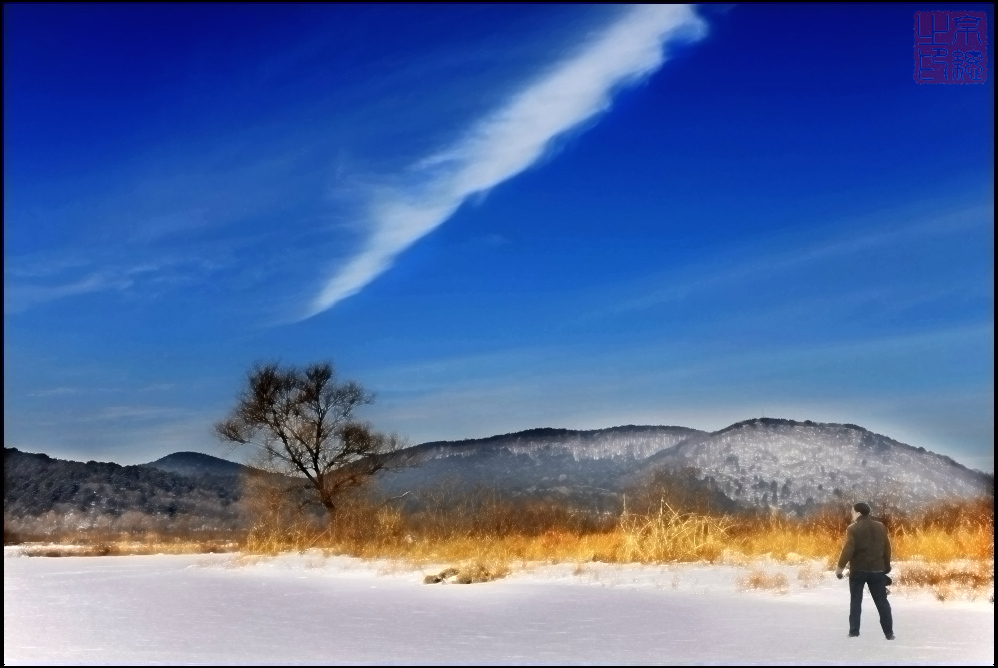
(504, 534)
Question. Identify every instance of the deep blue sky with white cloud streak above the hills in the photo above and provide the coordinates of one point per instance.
(494, 217)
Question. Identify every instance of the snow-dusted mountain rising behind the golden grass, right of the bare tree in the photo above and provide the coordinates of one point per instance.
(757, 463)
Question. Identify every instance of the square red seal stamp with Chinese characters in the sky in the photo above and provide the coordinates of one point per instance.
(951, 46)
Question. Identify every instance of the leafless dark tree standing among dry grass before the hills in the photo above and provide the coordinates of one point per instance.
(302, 420)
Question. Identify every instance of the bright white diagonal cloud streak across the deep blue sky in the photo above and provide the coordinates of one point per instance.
(512, 139)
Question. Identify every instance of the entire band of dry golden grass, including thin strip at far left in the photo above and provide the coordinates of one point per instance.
(492, 534)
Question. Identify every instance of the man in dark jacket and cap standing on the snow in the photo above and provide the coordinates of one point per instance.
(868, 553)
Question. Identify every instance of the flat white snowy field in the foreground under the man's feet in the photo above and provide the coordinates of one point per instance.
(228, 609)
